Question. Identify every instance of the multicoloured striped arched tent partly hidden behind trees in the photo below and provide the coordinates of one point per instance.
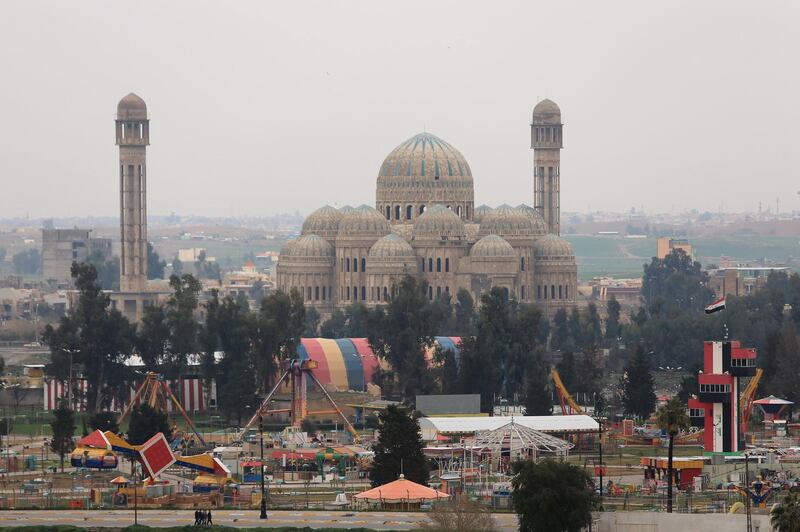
(350, 364)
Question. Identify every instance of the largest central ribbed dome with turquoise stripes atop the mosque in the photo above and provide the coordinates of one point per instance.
(421, 172)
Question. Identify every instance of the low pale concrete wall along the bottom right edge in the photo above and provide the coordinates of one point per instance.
(664, 522)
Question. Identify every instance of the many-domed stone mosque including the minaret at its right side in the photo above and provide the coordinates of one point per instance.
(425, 224)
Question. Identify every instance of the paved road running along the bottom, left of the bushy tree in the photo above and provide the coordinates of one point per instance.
(235, 518)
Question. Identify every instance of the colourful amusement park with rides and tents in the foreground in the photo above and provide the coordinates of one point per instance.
(310, 445)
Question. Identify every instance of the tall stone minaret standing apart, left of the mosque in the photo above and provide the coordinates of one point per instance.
(133, 136)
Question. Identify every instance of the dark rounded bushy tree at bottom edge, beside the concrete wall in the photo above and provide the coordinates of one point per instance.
(551, 496)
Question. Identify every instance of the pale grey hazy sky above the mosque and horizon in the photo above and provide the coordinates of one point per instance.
(263, 107)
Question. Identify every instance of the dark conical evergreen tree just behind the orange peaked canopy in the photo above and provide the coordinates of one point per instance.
(398, 449)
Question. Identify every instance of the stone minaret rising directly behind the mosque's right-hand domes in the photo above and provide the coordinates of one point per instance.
(547, 142)
